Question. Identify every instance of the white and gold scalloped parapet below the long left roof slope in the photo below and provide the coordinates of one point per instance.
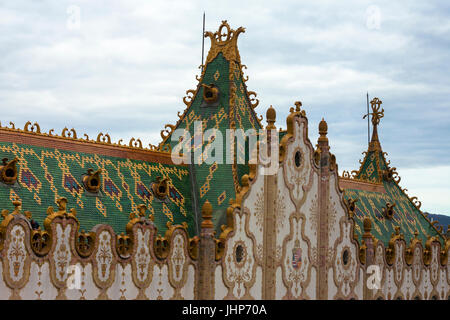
(103, 260)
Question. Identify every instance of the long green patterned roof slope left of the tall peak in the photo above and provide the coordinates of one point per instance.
(50, 167)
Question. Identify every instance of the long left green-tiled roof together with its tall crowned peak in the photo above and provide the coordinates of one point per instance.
(51, 166)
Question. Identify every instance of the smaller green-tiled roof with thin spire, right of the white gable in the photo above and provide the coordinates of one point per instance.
(376, 187)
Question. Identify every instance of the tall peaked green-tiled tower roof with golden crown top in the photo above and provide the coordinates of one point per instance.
(233, 108)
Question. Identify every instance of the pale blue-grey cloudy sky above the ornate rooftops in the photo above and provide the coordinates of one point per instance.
(123, 67)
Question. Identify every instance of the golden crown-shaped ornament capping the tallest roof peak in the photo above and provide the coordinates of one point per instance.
(224, 40)
